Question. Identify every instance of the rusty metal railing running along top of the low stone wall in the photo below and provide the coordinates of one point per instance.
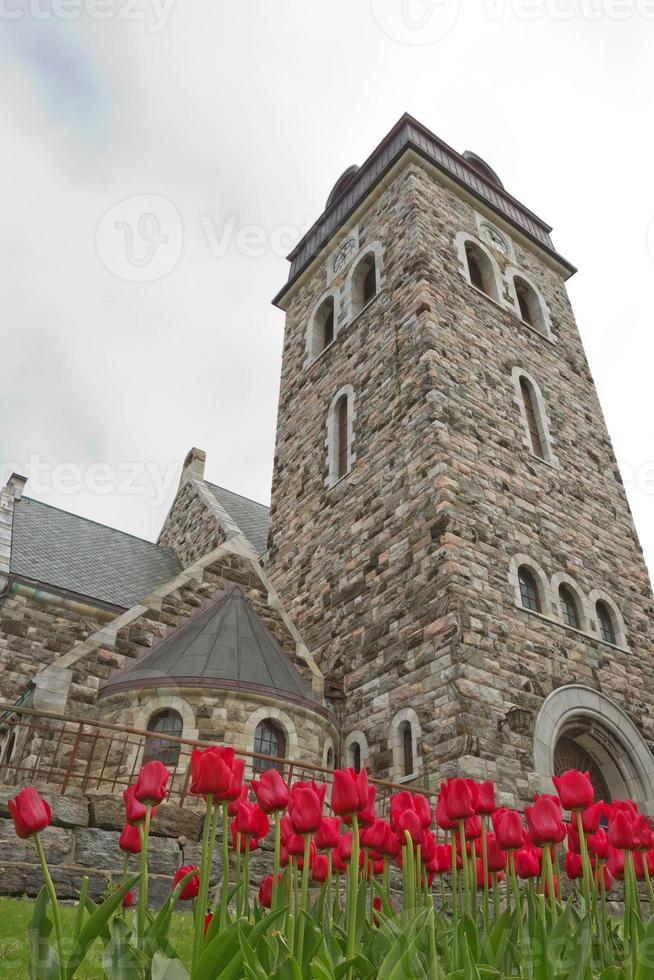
(76, 756)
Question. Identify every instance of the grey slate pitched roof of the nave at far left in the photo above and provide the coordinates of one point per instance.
(69, 552)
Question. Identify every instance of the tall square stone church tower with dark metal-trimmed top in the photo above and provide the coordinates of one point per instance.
(449, 526)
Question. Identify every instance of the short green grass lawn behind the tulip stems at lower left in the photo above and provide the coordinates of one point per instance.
(15, 916)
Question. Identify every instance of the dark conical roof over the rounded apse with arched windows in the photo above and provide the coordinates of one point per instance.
(226, 646)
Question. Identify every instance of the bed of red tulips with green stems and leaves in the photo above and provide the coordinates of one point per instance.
(481, 892)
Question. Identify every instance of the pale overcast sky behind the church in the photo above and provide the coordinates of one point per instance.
(125, 344)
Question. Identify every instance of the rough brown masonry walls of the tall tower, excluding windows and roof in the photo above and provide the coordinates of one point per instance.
(399, 575)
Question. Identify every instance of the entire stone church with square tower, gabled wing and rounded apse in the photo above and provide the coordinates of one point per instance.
(448, 580)
